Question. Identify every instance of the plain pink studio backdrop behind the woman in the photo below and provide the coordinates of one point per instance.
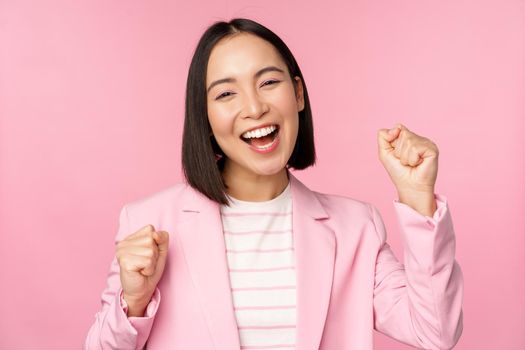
(91, 113)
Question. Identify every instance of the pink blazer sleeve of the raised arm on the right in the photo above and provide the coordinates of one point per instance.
(419, 302)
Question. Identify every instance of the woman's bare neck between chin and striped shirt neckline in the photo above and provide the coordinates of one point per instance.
(252, 187)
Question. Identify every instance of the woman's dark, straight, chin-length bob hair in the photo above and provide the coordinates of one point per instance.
(202, 158)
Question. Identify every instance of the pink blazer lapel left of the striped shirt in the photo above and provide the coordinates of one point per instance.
(201, 236)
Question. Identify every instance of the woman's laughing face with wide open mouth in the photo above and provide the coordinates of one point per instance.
(249, 88)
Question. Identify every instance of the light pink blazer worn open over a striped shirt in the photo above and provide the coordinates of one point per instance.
(349, 282)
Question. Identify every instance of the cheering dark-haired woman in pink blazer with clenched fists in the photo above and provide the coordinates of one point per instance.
(245, 256)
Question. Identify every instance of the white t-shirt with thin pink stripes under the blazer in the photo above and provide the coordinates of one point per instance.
(259, 247)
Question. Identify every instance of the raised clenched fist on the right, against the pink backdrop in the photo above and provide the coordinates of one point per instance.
(411, 162)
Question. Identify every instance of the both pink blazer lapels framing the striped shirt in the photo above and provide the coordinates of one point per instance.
(202, 241)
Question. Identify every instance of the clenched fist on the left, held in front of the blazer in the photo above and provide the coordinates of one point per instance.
(142, 257)
